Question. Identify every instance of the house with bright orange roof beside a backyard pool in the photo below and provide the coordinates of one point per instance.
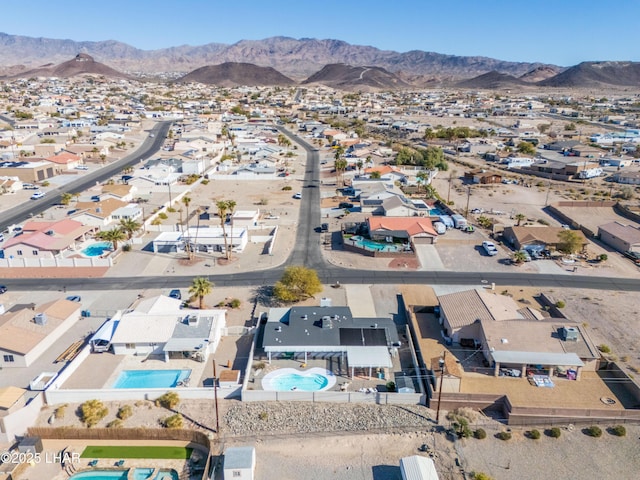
(414, 229)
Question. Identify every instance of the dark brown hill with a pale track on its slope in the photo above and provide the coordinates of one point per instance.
(348, 77)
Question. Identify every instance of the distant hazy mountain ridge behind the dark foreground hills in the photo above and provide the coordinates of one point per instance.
(297, 58)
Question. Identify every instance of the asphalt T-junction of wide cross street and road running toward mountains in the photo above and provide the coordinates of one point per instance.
(307, 251)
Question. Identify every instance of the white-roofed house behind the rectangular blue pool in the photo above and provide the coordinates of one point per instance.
(160, 326)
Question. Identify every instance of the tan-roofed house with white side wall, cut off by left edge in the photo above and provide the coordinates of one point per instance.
(27, 333)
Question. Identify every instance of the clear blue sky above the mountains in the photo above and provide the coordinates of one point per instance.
(562, 32)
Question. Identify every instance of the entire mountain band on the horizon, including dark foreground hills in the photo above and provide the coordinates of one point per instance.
(286, 61)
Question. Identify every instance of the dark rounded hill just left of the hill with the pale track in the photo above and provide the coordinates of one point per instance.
(233, 74)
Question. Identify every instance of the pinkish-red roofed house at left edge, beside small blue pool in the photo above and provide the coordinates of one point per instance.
(47, 239)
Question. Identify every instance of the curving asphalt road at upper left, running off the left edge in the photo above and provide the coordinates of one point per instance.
(21, 213)
